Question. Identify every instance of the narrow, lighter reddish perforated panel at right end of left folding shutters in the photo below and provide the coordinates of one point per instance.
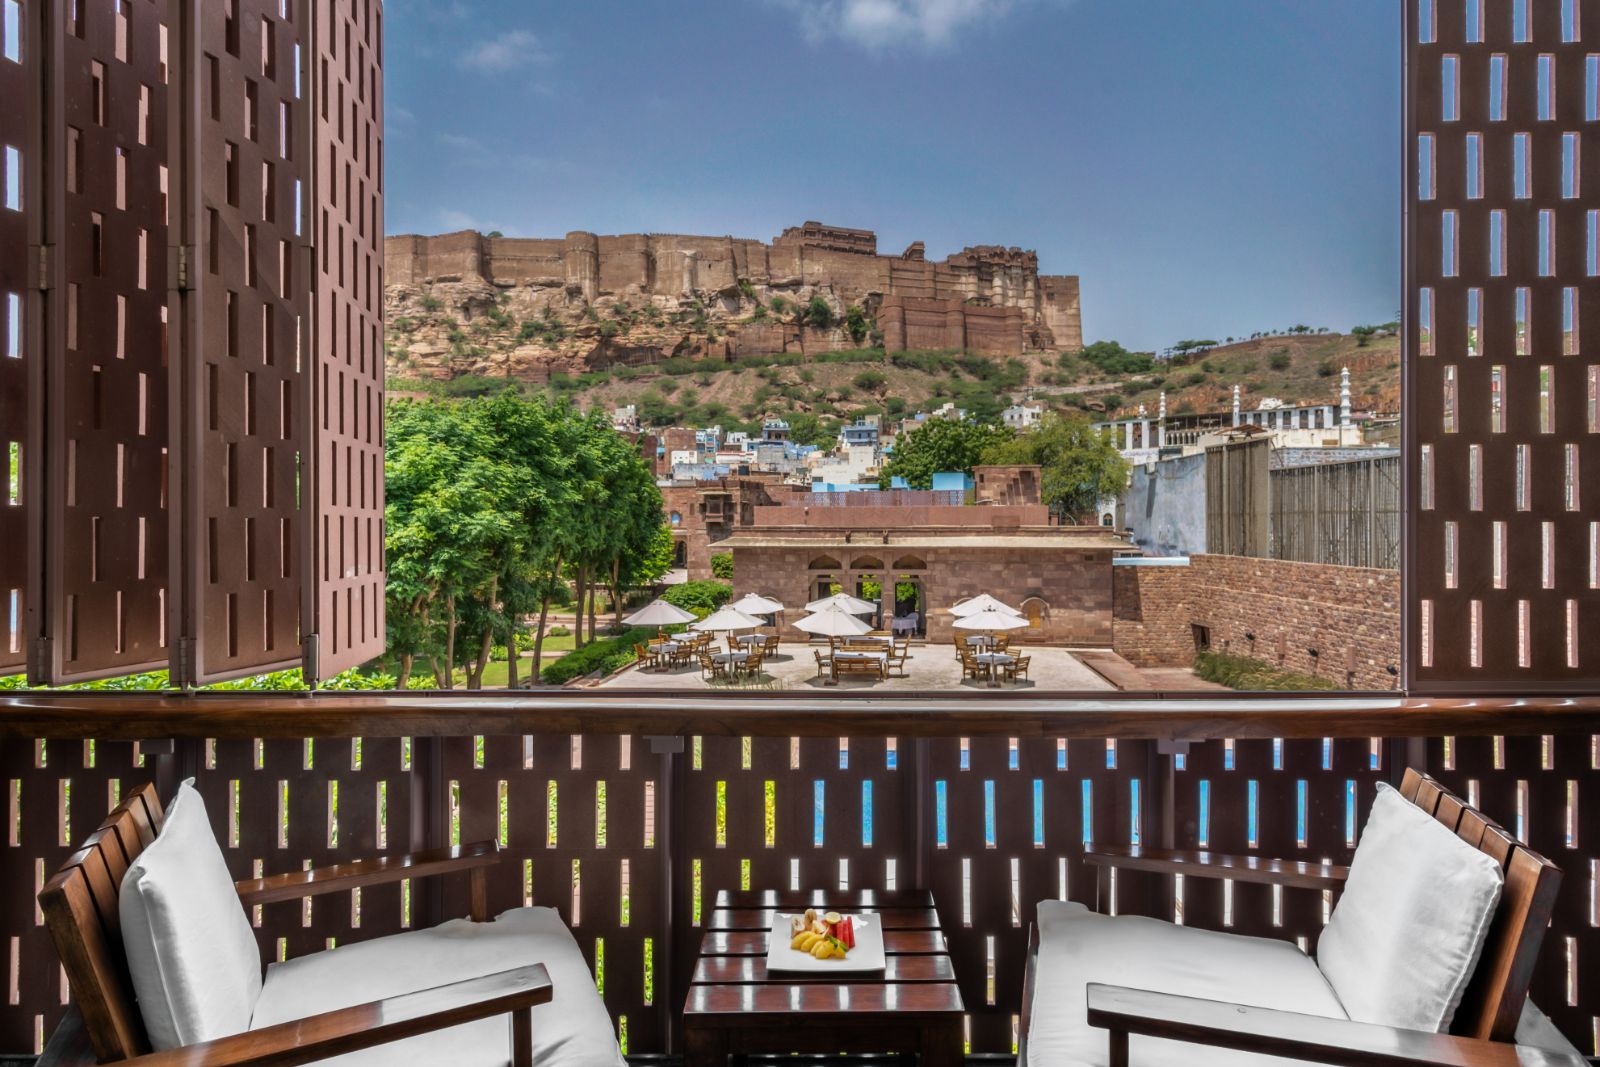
(346, 577)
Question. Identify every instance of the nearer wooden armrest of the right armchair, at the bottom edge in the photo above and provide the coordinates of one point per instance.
(1294, 1036)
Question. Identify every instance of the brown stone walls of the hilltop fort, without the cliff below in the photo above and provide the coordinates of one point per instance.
(986, 298)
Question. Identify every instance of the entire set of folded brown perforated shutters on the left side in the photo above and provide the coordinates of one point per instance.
(191, 378)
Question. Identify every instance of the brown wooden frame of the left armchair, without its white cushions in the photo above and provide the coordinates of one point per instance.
(81, 906)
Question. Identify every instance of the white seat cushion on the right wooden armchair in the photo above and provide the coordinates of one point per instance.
(1078, 948)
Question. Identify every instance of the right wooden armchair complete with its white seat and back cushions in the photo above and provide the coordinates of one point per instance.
(1266, 997)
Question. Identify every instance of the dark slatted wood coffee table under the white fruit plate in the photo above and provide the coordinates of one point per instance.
(737, 1007)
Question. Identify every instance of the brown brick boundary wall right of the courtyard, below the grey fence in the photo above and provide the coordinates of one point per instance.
(1350, 615)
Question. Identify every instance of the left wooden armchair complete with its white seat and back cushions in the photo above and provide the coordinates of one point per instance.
(188, 932)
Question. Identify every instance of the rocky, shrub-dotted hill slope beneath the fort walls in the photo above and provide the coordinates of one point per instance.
(458, 345)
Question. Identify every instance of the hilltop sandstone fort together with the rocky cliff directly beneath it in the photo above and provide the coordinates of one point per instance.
(529, 308)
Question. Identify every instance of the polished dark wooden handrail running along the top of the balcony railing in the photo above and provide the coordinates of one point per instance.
(244, 716)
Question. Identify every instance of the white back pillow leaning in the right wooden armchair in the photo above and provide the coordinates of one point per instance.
(1406, 937)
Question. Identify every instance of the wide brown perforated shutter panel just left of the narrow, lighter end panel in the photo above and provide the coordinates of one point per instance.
(249, 302)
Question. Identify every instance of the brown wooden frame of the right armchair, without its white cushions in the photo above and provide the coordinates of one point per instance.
(1484, 1025)
